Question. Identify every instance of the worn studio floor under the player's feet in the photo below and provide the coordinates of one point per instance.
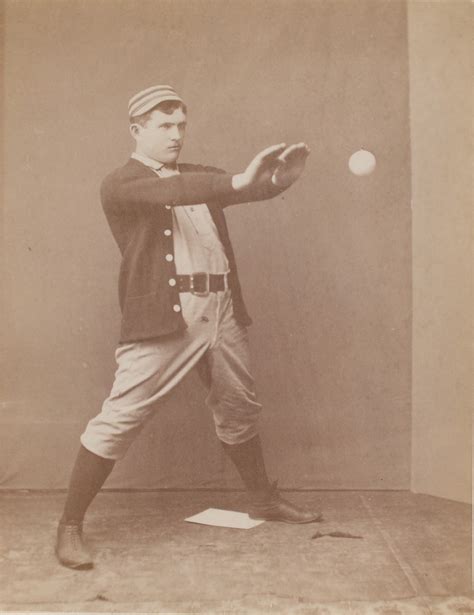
(414, 556)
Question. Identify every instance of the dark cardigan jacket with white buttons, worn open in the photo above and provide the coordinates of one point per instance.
(137, 204)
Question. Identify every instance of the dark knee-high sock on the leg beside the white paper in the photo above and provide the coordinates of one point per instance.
(248, 459)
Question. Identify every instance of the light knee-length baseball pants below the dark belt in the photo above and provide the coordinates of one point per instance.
(150, 369)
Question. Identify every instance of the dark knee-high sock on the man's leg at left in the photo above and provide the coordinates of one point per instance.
(89, 474)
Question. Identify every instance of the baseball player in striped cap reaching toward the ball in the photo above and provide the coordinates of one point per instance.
(181, 305)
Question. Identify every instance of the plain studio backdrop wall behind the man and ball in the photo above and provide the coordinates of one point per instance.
(325, 267)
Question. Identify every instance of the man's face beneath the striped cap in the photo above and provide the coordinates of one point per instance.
(162, 137)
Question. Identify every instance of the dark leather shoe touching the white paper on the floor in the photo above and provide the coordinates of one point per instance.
(270, 506)
